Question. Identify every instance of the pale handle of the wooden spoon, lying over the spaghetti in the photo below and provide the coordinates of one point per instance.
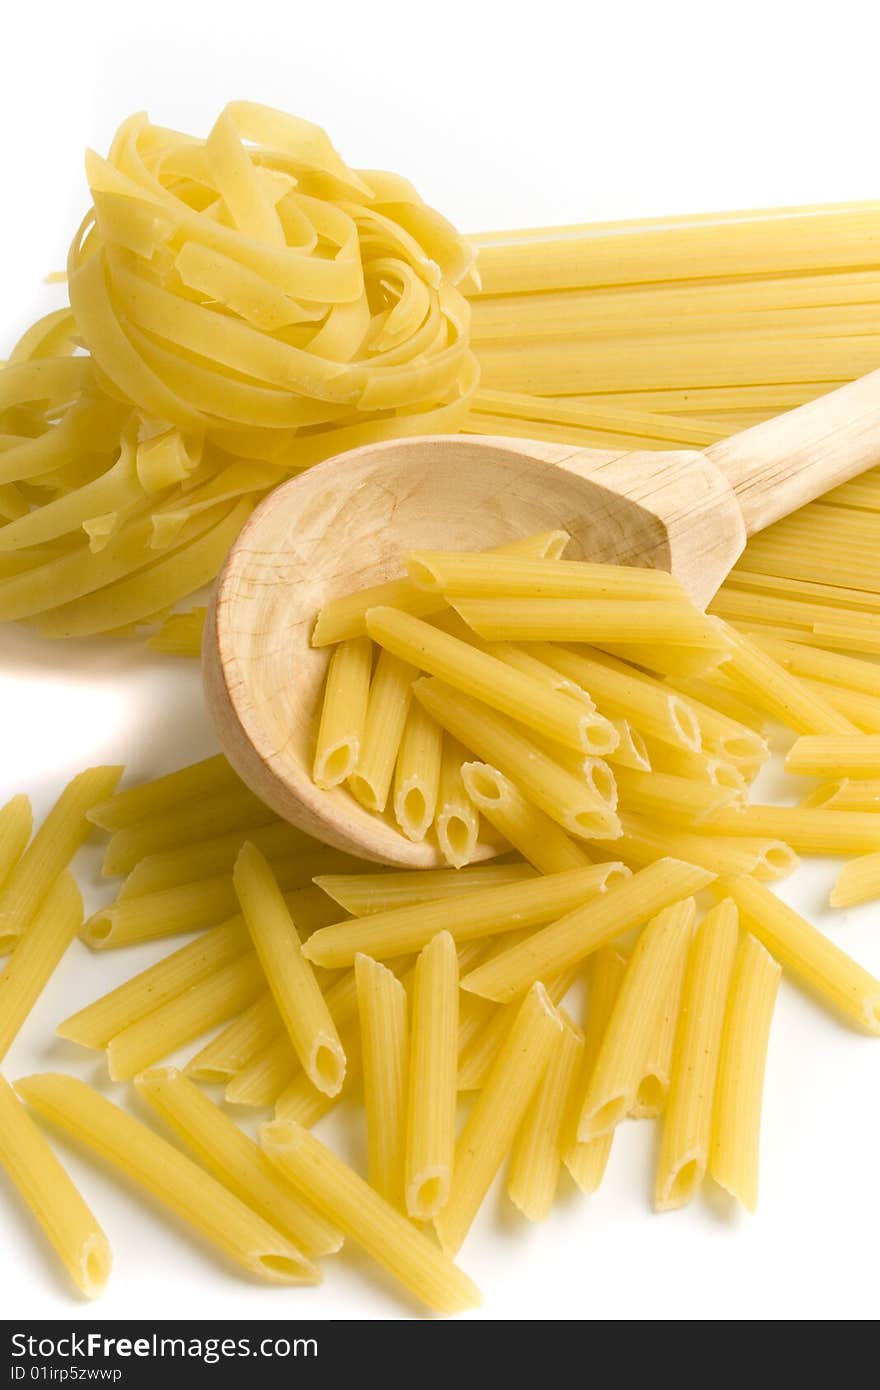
(778, 466)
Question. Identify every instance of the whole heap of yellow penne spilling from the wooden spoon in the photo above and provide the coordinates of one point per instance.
(315, 981)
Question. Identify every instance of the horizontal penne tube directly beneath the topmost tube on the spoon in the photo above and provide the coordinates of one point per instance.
(600, 621)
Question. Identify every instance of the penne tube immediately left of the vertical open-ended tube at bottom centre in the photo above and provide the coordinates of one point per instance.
(384, 1046)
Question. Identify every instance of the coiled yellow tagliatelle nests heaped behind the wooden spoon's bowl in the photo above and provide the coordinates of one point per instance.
(250, 306)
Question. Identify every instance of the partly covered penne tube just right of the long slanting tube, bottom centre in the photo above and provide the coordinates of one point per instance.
(539, 1149)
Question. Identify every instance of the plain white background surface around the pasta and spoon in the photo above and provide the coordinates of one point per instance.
(505, 116)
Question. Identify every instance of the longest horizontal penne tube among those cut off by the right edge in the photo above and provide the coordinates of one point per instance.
(807, 831)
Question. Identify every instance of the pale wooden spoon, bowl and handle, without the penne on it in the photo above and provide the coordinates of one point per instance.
(347, 525)
